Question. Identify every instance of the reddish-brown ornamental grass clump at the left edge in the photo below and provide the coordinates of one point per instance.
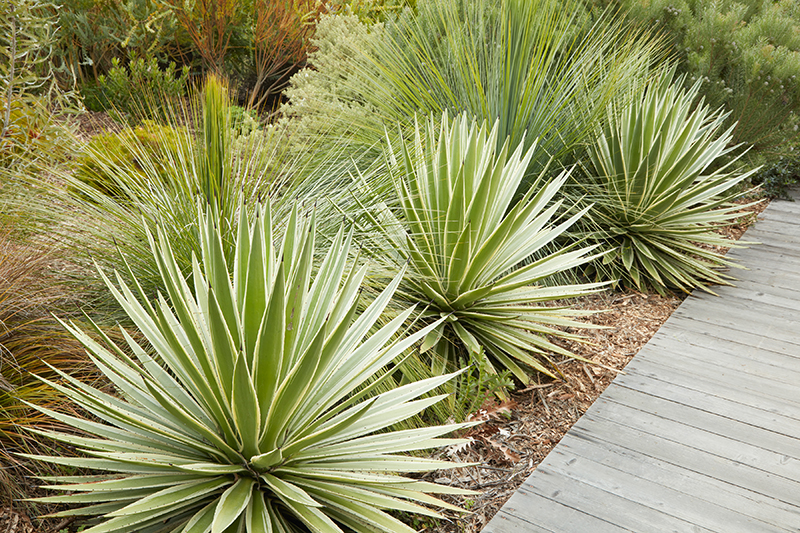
(30, 342)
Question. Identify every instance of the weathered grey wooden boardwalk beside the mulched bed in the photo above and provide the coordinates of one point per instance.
(702, 433)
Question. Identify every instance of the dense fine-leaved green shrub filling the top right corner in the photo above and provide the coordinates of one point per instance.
(746, 52)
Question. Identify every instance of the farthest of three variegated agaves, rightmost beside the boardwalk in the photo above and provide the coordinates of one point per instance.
(659, 190)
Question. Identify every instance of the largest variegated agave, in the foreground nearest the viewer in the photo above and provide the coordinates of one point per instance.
(250, 413)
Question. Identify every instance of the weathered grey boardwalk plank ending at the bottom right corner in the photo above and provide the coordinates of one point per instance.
(694, 484)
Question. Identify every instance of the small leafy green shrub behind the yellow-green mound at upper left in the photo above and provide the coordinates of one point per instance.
(142, 89)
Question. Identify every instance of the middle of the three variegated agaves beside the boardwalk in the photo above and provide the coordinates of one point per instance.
(469, 246)
